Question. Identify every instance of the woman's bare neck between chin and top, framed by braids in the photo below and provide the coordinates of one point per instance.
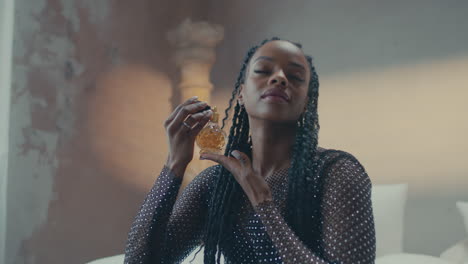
(271, 146)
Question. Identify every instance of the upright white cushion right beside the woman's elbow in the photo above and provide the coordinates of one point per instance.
(388, 204)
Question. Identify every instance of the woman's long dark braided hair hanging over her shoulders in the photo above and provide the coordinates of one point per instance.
(302, 185)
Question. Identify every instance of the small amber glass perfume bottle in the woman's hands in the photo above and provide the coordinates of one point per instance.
(211, 139)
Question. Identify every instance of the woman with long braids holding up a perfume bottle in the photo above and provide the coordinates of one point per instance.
(275, 197)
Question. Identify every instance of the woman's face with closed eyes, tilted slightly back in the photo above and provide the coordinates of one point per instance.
(276, 83)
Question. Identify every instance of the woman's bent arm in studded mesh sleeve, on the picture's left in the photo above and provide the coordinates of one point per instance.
(166, 230)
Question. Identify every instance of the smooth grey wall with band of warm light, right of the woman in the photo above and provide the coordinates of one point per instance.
(393, 83)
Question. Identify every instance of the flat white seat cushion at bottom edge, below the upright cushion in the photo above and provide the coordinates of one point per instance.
(403, 258)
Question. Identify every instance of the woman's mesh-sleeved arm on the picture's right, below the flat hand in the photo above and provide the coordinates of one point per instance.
(348, 223)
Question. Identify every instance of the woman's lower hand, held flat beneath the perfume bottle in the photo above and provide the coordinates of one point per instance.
(254, 186)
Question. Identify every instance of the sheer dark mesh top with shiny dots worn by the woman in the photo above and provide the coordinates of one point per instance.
(167, 230)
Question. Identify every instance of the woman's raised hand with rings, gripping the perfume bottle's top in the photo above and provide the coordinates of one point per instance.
(181, 138)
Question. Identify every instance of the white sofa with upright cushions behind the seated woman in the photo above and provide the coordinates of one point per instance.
(389, 203)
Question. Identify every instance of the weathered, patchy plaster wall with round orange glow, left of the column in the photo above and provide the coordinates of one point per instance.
(91, 87)
